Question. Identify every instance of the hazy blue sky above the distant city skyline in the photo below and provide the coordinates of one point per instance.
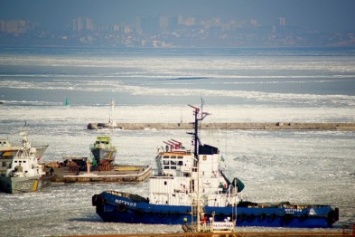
(309, 14)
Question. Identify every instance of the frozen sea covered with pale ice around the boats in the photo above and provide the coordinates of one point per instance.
(155, 85)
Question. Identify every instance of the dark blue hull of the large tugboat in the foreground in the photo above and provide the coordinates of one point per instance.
(117, 208)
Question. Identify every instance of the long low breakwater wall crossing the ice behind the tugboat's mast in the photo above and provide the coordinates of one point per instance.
(237, 126)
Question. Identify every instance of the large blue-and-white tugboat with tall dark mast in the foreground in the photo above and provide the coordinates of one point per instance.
(182, 174)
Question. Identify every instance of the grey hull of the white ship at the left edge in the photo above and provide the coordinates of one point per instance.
(15, 185)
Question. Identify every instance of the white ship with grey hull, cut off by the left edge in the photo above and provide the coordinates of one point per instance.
(20, 169)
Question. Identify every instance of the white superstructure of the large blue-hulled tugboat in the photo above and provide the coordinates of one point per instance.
(178, 178)
